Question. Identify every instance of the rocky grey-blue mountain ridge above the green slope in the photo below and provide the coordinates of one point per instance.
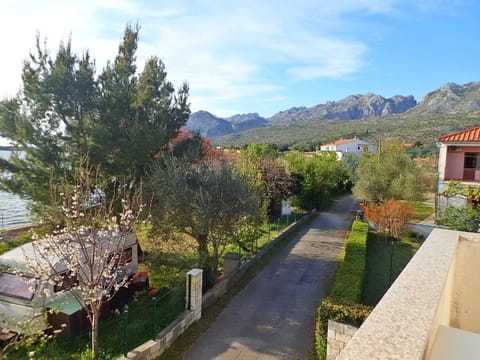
(448, 99)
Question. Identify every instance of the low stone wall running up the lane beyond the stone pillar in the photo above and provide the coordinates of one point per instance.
(222, 287)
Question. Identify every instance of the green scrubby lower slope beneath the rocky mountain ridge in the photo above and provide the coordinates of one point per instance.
(310, 134)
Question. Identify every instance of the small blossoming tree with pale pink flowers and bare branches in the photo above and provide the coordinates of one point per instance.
(90, 243)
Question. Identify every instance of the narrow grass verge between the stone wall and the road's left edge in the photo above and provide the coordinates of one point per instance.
(210, 314)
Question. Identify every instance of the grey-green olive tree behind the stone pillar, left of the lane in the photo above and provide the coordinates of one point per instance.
(208, 201)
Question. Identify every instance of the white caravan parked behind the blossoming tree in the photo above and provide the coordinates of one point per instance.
(26, 295)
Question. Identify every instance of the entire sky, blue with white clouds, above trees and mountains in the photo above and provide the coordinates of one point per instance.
(263, 56)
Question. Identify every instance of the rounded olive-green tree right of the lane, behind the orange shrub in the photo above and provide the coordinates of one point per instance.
(389, 174)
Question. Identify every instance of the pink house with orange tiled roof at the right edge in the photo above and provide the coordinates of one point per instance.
(458, 160)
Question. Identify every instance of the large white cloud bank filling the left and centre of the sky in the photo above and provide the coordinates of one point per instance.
(227, 51)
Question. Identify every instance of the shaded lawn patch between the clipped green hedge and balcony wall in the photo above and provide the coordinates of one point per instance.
(377, 272)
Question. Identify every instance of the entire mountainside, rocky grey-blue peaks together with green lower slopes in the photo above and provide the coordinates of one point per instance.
(449, 108)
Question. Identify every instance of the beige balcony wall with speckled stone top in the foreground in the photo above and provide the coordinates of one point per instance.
(438, 289)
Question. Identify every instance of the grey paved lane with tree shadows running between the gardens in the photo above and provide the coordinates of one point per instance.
(273, 317)
